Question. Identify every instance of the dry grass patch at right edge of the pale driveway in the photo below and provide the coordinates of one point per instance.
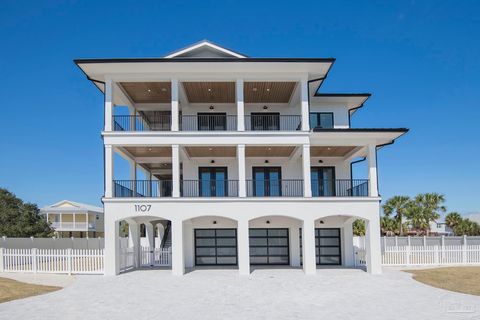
(458, 279)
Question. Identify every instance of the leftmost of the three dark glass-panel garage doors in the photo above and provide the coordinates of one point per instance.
(215, 247)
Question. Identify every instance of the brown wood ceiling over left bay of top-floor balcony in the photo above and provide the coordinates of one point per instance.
(148, 92)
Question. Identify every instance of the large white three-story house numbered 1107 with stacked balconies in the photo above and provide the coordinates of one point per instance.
(246, 162)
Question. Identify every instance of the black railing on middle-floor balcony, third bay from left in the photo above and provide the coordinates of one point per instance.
(275, 188)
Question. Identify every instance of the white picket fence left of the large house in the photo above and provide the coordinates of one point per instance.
(68, 261)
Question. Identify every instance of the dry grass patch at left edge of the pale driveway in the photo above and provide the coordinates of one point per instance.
(12, 289)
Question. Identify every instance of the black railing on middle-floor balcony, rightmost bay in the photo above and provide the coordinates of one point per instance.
(340, 188)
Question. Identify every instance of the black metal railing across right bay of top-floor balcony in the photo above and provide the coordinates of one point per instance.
(269, 122)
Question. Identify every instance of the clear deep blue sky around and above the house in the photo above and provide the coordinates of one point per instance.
(420, 59)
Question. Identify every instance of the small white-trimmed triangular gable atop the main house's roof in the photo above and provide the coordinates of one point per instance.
(215, 50)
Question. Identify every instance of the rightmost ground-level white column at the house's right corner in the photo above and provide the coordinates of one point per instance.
(373, 246)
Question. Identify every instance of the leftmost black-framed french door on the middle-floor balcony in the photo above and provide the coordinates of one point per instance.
(213, 181)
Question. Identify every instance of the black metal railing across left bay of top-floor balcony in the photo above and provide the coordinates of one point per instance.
(140, 123)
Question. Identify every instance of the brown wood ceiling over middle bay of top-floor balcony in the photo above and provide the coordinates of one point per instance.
(210, 92)
